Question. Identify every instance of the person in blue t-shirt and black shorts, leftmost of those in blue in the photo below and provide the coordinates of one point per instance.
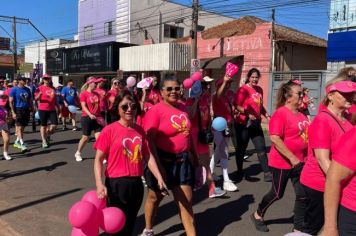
(21, 105)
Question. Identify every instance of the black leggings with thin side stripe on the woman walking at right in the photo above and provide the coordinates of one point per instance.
(279, 182)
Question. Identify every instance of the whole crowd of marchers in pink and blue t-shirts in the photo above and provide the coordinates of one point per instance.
(158, 133)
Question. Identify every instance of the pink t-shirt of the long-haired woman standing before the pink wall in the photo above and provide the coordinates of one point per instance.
(251, 99)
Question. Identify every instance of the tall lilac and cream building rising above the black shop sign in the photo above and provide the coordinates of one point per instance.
(137, 21)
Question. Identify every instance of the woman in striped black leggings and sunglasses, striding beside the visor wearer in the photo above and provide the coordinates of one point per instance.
(288, 130)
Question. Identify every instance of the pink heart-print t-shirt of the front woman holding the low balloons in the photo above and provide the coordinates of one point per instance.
(124, 148)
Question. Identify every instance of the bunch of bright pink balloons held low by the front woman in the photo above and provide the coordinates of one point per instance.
(90, 213)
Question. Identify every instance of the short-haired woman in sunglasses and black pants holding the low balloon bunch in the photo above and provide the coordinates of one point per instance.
(125, 147)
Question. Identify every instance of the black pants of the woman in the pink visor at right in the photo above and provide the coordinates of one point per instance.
(314, 214)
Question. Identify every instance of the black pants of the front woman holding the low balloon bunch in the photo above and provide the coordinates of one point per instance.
(125, 193)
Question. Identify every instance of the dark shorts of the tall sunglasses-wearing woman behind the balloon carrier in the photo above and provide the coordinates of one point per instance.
(179, 170)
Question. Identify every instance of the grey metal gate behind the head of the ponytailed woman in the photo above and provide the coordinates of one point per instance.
(314, 80)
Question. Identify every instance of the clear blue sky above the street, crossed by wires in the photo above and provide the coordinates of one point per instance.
(59, 17)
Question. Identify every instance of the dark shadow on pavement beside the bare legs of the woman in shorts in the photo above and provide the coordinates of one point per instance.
(229, 212)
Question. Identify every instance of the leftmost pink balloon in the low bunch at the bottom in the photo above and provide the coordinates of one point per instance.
(82, 213)
